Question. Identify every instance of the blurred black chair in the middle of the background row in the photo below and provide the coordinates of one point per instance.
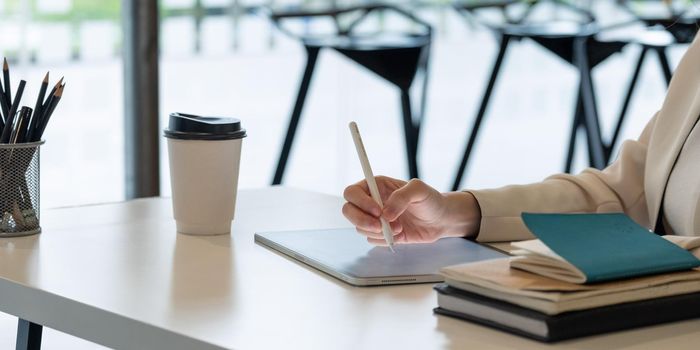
(573, 41)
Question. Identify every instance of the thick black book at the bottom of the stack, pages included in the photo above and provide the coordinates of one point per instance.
(550, 328)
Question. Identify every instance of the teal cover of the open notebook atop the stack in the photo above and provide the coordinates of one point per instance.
(608, 246)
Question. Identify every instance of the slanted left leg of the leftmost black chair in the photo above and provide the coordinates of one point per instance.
(311, 56)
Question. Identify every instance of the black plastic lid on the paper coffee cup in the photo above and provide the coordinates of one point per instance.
(193, 127)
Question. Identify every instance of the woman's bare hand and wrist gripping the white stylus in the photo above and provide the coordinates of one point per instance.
(416, 212)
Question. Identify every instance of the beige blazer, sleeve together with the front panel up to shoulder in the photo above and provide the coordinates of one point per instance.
(634, 183)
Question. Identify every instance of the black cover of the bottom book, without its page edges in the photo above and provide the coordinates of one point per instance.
(582, 323)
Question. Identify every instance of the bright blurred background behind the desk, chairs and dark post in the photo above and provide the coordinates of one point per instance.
(226, 58)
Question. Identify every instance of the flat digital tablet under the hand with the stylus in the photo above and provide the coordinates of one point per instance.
(346, 255)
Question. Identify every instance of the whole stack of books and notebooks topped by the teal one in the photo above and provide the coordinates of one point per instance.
(585, 274)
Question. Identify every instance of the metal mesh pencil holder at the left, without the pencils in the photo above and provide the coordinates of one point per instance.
(19, 189)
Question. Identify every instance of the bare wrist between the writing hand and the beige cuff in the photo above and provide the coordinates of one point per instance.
(463, 215)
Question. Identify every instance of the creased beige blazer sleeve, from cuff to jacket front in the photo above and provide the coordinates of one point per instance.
(617, 188)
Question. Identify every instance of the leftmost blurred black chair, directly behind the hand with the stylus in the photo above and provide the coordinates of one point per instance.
(396, 57)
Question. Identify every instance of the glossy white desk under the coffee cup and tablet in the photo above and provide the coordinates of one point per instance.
(119, 275)
